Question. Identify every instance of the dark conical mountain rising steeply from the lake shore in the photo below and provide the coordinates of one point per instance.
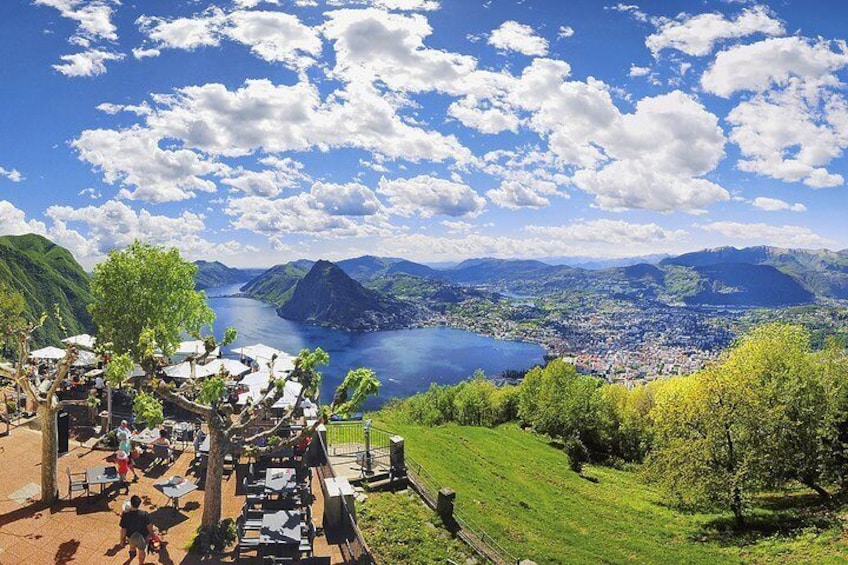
(327, 296)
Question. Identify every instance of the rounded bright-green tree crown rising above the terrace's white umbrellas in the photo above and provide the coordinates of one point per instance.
(144, 297)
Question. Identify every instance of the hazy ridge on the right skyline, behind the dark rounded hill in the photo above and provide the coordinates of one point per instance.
(822, 272)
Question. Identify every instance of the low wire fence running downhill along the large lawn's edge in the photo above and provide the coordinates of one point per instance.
(484, 544)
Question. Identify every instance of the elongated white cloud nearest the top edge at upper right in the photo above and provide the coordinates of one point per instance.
(697, 35)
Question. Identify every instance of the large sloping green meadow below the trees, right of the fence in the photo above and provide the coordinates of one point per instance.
(520, 490)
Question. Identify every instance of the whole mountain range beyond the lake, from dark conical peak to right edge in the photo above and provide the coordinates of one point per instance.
(725, 277)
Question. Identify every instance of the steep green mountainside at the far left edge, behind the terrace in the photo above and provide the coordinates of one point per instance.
(47, 275)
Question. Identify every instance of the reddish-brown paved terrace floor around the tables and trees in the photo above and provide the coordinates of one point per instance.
(80, 532)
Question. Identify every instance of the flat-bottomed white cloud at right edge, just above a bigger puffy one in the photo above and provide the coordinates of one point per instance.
(774, 61)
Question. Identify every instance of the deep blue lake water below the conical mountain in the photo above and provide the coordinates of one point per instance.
(406, 361)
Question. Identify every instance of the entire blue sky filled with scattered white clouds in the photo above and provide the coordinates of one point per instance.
(257, 132)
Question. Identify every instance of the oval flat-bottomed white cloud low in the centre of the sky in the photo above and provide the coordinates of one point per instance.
(426, 196)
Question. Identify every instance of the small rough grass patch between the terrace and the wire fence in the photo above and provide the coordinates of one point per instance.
(401, 529)
